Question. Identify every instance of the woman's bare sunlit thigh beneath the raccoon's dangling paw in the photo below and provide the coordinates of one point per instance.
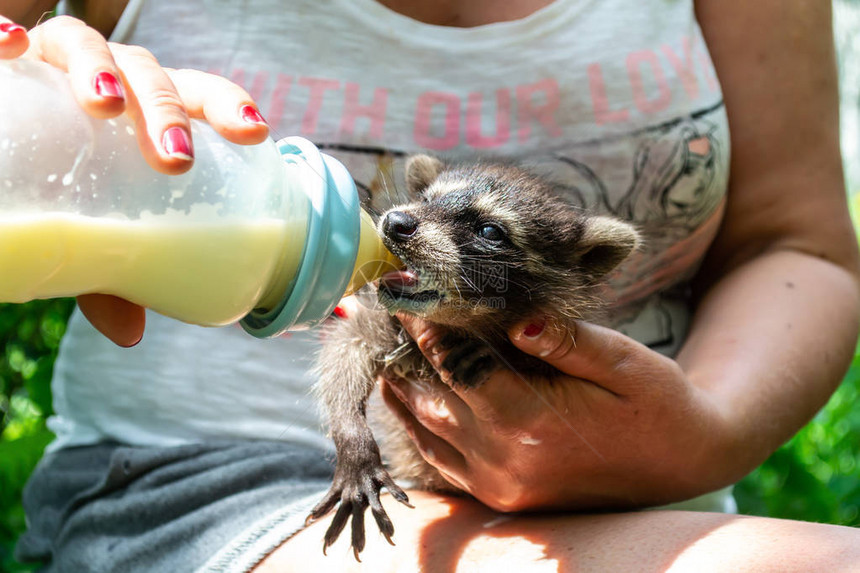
(445, 534)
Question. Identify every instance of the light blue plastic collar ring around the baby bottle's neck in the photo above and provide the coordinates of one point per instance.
(330, 249)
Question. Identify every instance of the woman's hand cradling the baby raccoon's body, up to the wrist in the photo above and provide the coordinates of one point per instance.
(622, 427)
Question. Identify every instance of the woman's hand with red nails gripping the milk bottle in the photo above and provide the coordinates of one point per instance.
(109, 79)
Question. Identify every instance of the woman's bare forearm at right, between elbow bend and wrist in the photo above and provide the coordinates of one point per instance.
(769, 343)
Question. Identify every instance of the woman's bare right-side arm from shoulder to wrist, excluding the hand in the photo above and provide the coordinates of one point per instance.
(777, 325)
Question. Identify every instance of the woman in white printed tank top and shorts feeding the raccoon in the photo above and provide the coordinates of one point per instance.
(620, 104)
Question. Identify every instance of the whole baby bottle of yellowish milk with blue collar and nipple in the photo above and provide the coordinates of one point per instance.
(269, 234)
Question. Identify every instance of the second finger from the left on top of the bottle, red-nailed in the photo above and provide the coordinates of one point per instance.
(74, 47)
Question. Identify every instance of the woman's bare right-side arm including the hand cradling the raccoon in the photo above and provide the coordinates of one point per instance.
(771, 338)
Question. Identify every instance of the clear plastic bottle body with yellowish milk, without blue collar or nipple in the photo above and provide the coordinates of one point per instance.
(82, 212)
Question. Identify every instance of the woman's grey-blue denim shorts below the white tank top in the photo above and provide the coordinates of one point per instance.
(218, 506)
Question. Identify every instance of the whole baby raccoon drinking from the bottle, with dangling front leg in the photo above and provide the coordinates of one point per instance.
(484, 247)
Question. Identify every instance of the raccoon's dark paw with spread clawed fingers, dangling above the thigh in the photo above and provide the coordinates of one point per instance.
(355, 493)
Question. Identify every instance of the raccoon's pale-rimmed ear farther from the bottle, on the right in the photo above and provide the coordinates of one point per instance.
(604, 244)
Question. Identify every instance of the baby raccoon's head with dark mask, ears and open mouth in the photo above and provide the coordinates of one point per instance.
(491, 241)
